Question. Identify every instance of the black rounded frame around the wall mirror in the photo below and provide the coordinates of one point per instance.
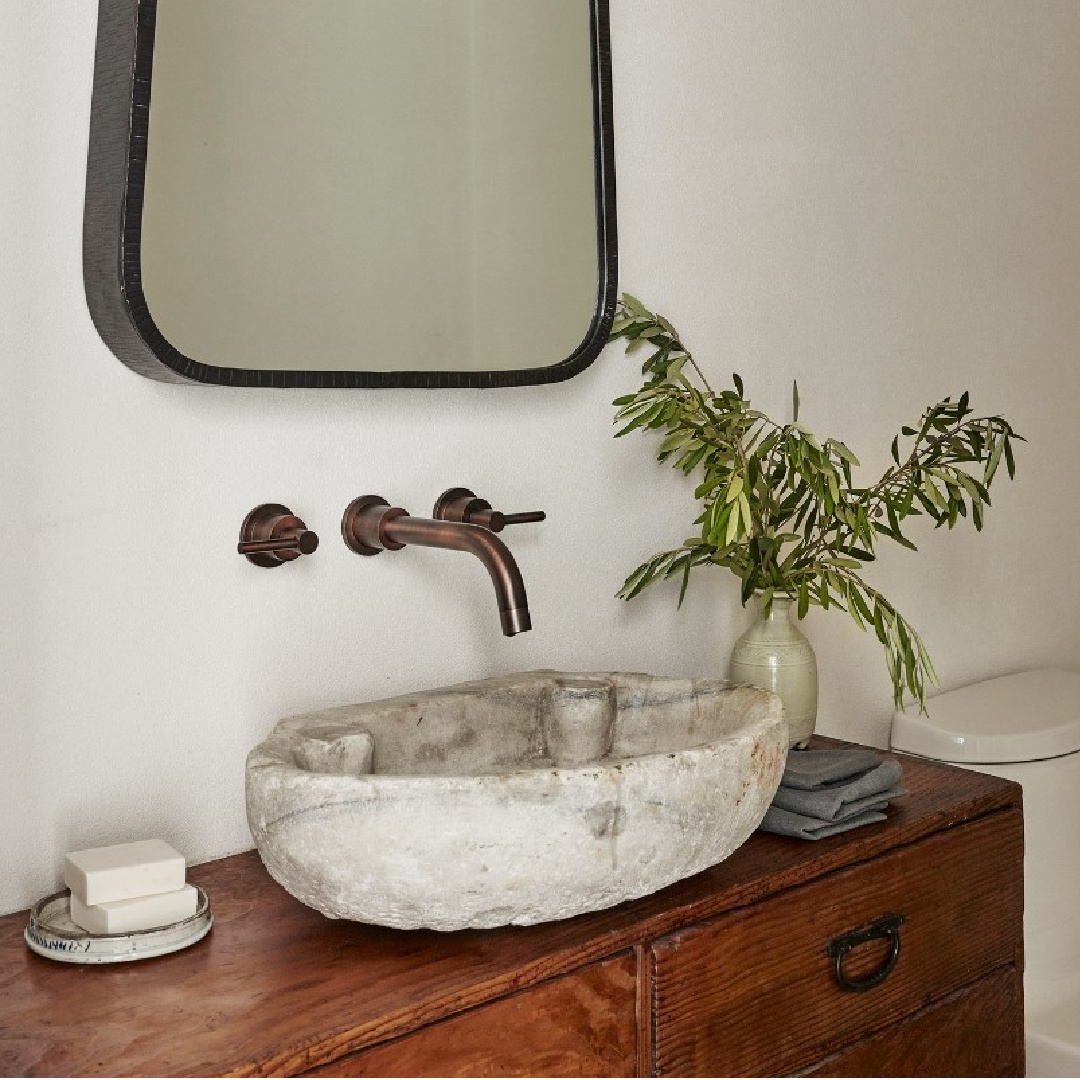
(116, 173)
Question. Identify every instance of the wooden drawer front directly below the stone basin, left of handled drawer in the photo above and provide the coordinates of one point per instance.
(583, 1024)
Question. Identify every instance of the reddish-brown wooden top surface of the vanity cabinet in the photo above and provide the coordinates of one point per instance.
(278, 990)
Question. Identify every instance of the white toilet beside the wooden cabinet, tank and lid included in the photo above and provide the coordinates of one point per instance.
(1027, 727)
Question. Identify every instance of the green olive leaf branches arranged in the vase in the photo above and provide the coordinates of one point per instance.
(780, 508)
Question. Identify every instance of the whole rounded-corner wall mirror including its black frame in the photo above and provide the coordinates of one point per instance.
(353, 193)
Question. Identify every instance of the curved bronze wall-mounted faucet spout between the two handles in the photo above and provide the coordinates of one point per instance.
(371, 525)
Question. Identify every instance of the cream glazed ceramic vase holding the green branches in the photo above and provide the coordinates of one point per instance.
(775, 655)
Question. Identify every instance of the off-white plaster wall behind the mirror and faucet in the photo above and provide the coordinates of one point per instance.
(882, 199)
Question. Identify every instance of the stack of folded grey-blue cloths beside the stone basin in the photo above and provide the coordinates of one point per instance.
(826, 792)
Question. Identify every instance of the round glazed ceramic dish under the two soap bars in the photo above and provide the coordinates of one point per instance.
(51, 934)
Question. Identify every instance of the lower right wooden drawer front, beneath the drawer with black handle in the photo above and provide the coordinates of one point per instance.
(973, 1033)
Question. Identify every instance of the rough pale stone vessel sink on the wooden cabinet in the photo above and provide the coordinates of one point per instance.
(512, 801)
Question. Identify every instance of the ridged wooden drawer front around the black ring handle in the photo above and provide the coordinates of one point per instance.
(754, 992)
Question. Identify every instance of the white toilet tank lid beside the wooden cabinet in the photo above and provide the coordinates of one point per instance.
(1022, 718)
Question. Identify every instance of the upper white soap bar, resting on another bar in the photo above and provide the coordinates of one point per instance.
(124, 872)
